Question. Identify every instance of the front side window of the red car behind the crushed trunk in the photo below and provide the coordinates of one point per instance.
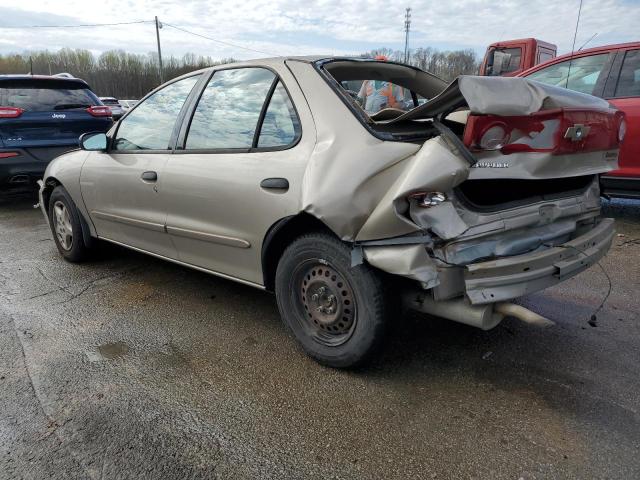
(579, 74)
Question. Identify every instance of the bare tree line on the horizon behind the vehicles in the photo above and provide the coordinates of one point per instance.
(130, 76)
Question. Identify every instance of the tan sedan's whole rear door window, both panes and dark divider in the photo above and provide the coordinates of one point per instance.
(230, 112)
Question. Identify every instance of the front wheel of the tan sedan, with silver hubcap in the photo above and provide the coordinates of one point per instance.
(64, 220)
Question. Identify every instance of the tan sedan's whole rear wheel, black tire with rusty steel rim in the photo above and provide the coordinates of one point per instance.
(335, 311)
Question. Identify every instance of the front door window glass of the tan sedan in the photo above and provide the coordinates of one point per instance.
(150, 125)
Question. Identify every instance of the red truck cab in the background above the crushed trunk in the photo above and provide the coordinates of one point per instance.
(509, 58)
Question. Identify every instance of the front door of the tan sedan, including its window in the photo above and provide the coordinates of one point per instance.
(123, 188)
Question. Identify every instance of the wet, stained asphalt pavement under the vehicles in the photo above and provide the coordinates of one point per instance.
(131, 367)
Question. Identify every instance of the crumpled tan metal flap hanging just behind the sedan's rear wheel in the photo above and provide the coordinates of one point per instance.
(411, 261)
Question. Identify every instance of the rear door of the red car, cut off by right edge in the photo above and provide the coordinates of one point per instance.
(623, 91)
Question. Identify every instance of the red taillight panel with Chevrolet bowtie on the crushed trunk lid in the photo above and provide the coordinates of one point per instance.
(559, 132)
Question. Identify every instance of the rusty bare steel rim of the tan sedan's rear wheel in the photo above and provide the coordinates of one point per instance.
(328, 303)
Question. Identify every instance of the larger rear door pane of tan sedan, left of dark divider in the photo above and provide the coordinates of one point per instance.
(228, 112)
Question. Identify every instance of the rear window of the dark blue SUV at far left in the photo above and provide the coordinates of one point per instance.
(45, 96)
